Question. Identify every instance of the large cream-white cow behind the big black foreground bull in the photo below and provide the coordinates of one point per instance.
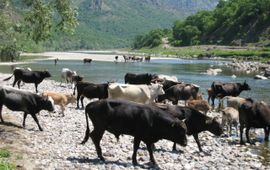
(145, 94)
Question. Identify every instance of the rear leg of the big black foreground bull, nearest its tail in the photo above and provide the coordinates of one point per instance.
(96, 137)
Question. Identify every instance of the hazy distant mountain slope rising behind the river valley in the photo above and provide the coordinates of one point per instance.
(114, 23)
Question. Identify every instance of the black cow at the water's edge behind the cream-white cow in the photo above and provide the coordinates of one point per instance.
(139, 78)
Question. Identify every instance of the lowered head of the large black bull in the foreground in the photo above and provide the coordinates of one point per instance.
(178, 132)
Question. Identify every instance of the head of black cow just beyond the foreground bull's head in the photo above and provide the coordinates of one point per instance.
(214, 126)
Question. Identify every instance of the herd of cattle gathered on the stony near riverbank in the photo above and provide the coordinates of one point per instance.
(141, 107)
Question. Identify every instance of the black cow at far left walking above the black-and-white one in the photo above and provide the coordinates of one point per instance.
(27, 76)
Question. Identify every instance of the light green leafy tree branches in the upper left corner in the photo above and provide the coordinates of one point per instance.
(24, 24)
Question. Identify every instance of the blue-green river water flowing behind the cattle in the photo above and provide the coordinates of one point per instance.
(189, 71)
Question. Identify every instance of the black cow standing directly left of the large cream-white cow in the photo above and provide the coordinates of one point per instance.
(91, 91)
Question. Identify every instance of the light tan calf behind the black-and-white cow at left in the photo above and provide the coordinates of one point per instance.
(60, 99)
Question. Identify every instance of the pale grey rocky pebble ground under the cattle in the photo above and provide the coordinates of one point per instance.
(58, 146)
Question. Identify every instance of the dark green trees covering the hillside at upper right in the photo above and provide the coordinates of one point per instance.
(232, 22)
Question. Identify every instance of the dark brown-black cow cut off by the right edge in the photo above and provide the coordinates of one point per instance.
(256, 115)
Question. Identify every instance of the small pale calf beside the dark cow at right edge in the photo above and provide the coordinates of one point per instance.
(230, 117)
